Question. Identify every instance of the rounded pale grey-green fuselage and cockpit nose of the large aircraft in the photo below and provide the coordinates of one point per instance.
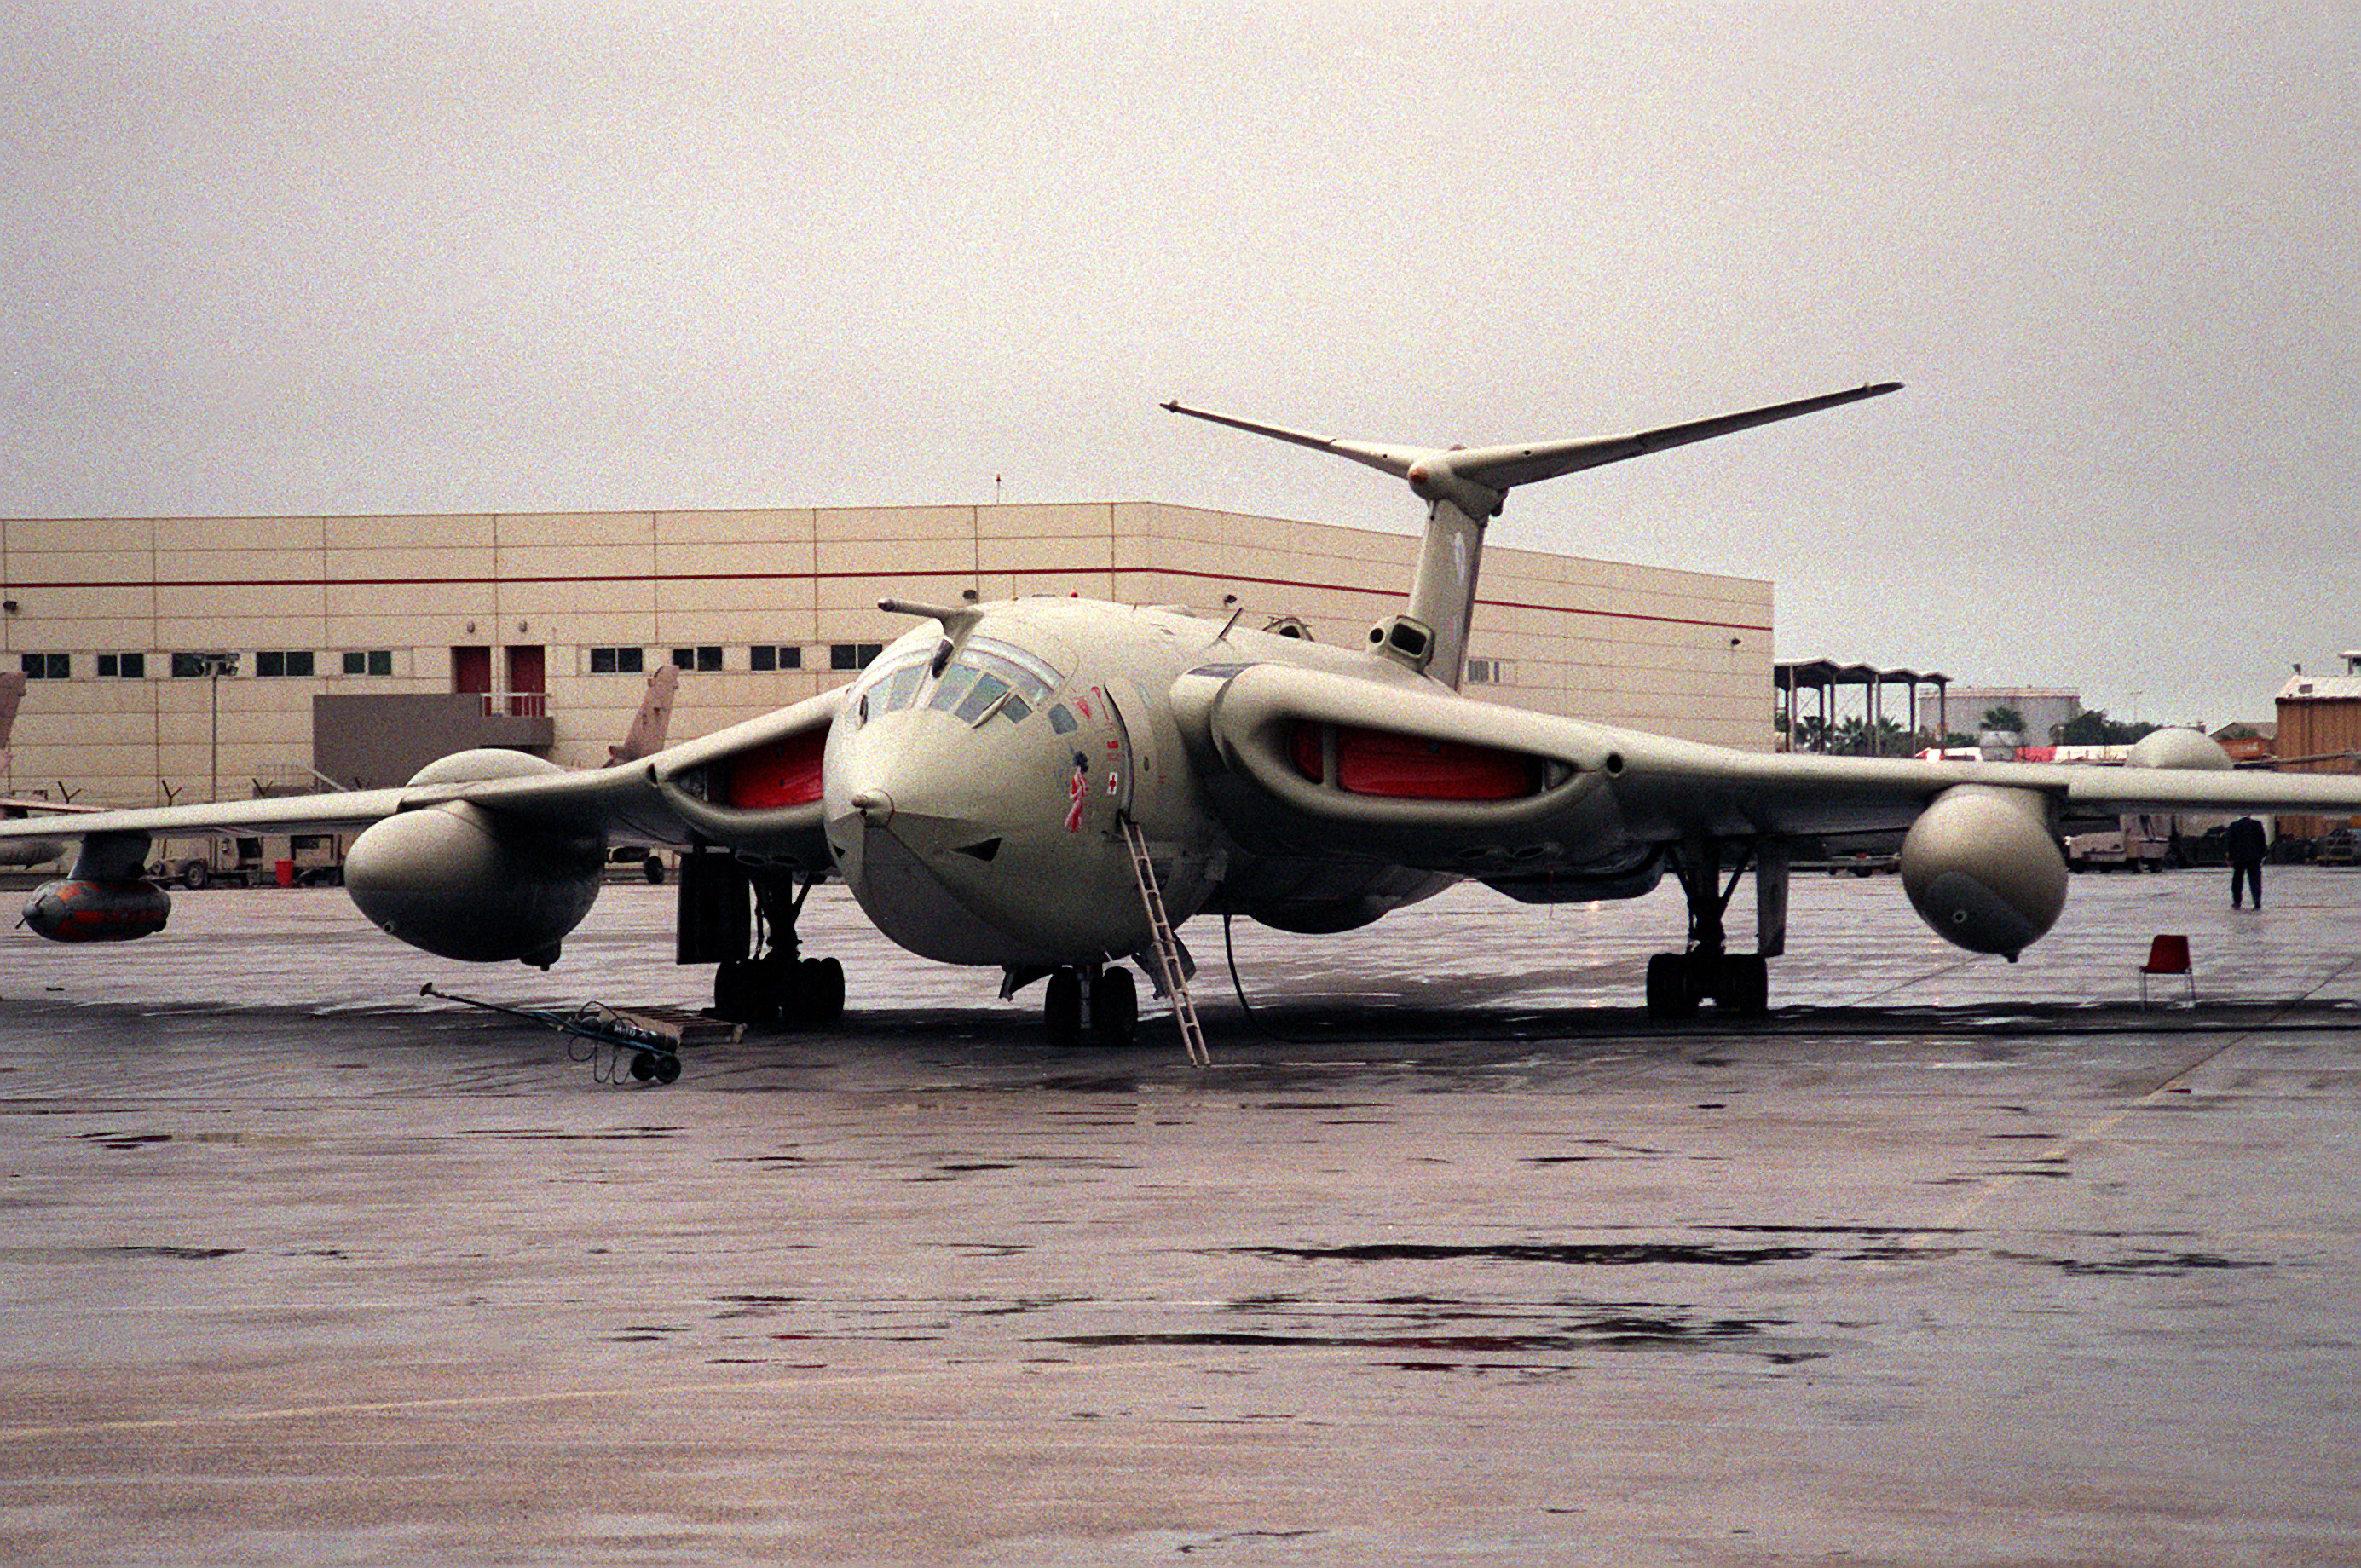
(981, 769)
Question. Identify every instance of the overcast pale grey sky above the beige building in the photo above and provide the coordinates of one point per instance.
(412, 259)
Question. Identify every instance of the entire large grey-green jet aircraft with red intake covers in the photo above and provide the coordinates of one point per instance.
(1002, 780)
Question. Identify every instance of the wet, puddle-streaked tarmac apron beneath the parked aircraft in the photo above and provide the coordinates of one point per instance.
(1448, 1260)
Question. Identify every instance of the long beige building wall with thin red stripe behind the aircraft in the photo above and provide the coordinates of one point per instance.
(1661, 651)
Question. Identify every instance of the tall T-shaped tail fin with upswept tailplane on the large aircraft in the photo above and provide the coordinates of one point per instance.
(1465, 490)
